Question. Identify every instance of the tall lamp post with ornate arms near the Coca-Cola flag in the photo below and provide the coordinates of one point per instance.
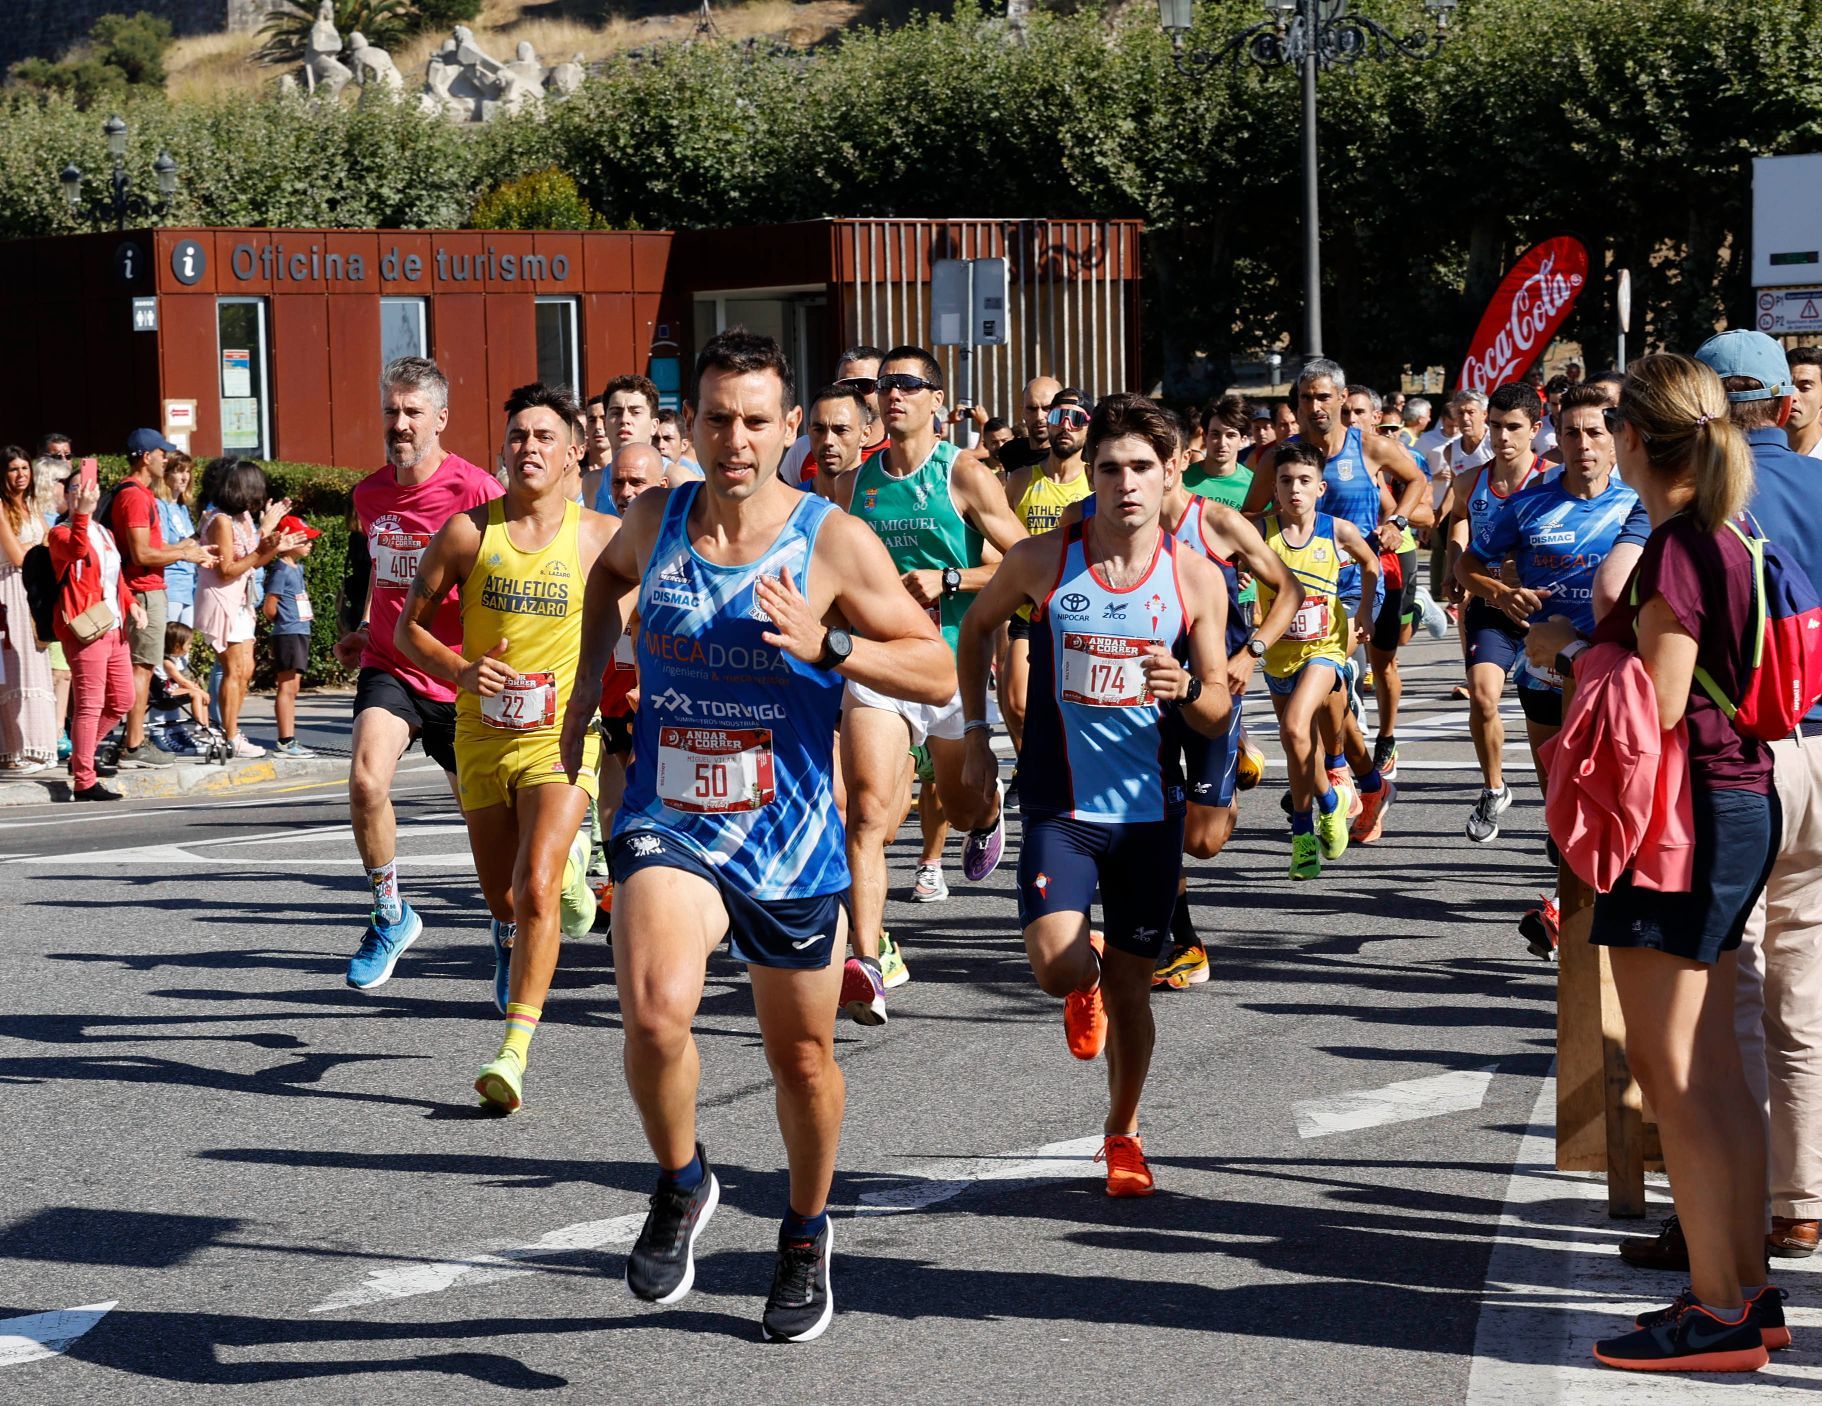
(1315, 36)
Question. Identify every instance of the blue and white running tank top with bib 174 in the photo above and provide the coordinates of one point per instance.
(1089, 715)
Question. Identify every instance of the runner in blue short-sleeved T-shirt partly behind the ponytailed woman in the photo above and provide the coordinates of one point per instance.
(1557, 533)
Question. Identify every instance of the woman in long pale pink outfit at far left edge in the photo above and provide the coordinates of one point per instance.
(28, 698)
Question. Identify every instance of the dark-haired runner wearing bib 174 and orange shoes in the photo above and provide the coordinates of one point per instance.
(1114, 598)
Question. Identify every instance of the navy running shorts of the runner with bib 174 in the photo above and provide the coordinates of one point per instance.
(1136, 868)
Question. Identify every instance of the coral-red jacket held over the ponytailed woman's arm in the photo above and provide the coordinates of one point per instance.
(1619, 784)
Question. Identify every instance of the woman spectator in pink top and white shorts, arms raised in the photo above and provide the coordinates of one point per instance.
(225, 591)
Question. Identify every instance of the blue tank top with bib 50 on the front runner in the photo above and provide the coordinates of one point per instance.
(733, 740)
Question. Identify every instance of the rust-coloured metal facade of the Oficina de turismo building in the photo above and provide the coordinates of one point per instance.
(76, 363)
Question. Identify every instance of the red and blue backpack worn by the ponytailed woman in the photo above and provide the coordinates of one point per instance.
(1786, 633)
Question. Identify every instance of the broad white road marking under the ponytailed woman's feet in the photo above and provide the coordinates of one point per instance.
(1557, 1283)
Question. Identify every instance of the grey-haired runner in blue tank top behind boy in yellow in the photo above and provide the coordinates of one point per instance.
(1355, 471)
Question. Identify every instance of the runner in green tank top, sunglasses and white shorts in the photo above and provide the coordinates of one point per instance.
(934, 507)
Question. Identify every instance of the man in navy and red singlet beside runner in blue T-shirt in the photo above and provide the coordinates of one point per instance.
(1491, 640)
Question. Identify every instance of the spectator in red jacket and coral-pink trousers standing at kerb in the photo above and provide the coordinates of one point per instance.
(92, 607)
